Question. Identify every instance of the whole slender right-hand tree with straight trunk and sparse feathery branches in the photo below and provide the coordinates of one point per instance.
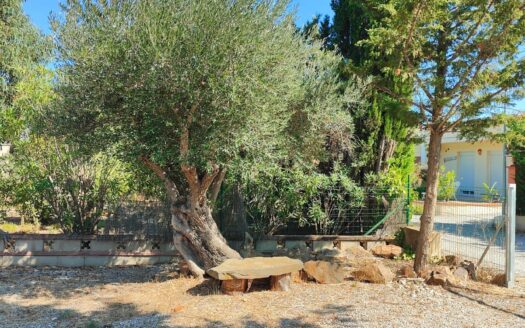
(465, 57)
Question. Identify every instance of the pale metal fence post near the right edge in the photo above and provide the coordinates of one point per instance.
(510, 236)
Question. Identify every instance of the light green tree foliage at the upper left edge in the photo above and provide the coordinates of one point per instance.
(23, 79)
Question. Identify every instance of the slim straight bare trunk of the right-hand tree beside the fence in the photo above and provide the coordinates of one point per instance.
(427, 218)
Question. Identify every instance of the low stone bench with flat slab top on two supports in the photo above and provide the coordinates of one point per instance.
(237, 275)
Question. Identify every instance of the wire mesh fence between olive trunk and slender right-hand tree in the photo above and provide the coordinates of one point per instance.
(335, 212)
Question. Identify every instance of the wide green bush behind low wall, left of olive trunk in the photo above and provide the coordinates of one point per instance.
(54, 183)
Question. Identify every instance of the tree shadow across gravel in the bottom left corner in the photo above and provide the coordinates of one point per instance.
(114, 315)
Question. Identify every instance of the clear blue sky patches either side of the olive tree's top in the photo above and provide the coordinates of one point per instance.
(38, 10)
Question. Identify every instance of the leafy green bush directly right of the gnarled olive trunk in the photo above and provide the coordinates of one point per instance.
(275, 196)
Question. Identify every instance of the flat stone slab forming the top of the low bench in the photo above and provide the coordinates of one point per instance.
(255, 268)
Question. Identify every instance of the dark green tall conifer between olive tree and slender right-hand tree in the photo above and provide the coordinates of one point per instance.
(386, 124)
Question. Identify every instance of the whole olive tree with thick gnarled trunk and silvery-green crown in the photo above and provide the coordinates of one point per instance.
(190, 89)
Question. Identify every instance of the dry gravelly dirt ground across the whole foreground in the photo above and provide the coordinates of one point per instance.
(155, 297)
